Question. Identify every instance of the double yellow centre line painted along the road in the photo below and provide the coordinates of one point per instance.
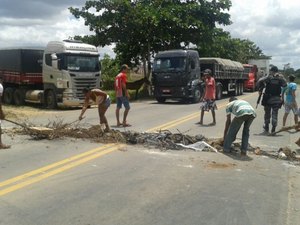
(42, 173)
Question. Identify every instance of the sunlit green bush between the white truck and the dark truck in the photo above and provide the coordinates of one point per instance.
(109, 70)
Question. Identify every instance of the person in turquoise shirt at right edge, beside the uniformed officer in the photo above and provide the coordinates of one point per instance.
(290, 102)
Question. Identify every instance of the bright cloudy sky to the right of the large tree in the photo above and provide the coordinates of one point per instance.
(272, 25)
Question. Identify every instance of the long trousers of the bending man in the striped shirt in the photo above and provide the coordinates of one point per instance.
(234, 128)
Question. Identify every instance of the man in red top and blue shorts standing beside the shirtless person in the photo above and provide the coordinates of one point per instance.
(122, 96)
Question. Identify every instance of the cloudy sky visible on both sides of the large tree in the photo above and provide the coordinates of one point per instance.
(273, 25)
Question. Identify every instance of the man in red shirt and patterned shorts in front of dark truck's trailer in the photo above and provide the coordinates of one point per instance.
(208, 101)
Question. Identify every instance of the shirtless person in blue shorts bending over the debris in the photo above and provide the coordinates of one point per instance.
(101, 99)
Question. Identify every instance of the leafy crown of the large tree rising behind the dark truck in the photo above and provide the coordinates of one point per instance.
(140, 28)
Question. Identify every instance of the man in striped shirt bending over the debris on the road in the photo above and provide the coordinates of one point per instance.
(244, 114)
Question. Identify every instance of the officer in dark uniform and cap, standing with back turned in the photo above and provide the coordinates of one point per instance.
(272, 101)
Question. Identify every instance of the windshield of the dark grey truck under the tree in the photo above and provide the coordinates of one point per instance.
(168, 64)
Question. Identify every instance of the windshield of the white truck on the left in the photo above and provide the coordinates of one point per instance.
(80, 63)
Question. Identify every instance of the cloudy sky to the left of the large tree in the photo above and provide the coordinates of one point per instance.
(38, 22)
